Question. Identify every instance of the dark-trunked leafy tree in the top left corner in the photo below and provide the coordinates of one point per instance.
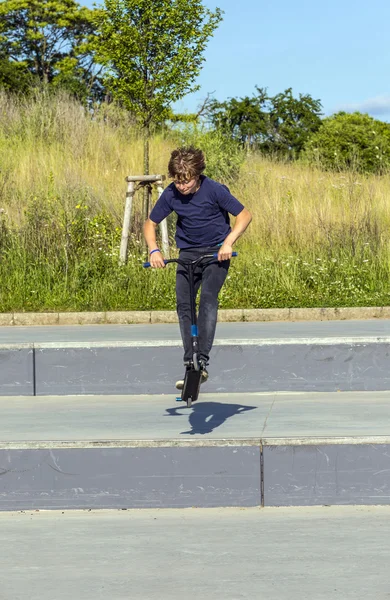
(49, 39)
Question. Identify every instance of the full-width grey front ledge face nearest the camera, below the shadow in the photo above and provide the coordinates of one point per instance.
(217, 474)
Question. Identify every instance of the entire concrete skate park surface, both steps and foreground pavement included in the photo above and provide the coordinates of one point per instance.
(276, 483)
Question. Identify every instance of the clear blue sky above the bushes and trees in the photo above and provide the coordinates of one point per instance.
(337, 51)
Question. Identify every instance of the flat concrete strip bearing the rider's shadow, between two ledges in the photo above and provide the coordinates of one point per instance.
(217, 416)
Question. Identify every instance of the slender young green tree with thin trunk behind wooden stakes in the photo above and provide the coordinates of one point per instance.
(154, 52)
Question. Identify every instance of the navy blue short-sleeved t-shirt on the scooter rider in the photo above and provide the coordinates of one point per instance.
(203, 217)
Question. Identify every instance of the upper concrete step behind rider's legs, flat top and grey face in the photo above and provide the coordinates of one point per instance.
(147, 359)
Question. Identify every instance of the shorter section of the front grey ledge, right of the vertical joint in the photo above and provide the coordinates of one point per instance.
(326, 474)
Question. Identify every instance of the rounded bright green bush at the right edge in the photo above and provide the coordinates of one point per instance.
(351, 141)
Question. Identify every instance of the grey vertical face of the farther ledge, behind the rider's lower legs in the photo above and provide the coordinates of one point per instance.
(238, 366)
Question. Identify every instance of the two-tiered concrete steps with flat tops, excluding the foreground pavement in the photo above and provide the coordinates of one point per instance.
(294, 414)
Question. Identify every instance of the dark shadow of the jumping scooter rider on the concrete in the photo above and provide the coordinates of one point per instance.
(207, 416)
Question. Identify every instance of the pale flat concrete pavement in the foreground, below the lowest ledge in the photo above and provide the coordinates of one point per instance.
(335, 553)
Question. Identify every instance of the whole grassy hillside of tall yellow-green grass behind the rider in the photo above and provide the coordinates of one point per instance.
(317, 238)
